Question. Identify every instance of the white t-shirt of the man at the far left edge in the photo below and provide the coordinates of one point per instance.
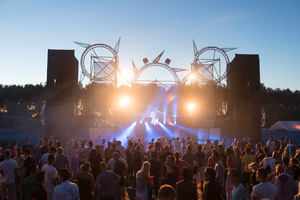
(8, 167)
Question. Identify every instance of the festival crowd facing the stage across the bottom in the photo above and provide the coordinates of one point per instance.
(166, 168)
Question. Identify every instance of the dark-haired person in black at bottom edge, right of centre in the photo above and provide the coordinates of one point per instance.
(212, 189)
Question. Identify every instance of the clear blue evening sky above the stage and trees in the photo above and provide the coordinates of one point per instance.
(270, 28)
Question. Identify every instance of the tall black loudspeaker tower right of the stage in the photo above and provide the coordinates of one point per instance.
(244, 104)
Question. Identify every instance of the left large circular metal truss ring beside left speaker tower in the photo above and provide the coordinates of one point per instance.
(107, 64)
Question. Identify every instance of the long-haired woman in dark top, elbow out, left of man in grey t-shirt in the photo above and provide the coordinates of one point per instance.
(85, 181)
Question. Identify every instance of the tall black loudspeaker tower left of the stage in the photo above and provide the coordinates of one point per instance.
(62, 86)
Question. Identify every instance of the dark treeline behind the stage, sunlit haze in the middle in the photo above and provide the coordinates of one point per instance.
(16, 100)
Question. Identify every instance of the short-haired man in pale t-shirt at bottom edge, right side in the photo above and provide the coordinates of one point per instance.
(264, 190)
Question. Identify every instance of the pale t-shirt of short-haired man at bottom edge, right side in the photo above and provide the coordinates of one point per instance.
(264, 191)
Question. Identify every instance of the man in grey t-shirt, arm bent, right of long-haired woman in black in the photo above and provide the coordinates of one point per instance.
(106, 182)
